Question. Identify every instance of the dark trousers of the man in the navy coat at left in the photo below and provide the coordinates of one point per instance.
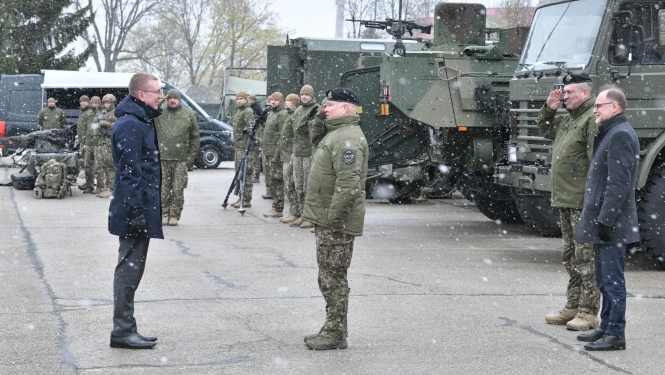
(128, 273)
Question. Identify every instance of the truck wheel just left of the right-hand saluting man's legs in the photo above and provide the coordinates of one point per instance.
(539, 215)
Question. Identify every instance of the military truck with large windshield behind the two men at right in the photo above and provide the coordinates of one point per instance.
(618, 42)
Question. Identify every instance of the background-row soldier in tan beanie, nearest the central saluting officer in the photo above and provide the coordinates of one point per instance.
(302, 147)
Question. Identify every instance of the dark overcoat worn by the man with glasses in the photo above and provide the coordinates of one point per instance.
(610, 188)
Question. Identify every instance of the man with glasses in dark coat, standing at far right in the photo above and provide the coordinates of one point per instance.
(609, 217)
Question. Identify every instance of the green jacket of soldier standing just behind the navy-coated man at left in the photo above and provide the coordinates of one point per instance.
(177, 134)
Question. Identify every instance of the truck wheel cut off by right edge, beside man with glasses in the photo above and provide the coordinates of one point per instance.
(650, 213)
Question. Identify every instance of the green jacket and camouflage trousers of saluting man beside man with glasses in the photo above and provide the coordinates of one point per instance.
(572, 152)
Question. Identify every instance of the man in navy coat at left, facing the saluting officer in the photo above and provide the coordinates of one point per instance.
(135, 212)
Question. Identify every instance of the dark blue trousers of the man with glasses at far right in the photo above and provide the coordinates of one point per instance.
(612, 284)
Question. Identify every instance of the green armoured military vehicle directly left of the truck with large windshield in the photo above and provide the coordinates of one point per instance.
(450, 102)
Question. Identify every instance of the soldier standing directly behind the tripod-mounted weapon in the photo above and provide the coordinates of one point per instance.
(240, 123)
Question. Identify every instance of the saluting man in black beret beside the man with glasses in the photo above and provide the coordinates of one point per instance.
(572, 151)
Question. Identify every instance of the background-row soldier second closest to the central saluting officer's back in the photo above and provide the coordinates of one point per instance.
(283, 155)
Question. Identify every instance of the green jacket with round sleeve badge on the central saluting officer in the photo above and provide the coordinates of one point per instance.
(335, 195)
